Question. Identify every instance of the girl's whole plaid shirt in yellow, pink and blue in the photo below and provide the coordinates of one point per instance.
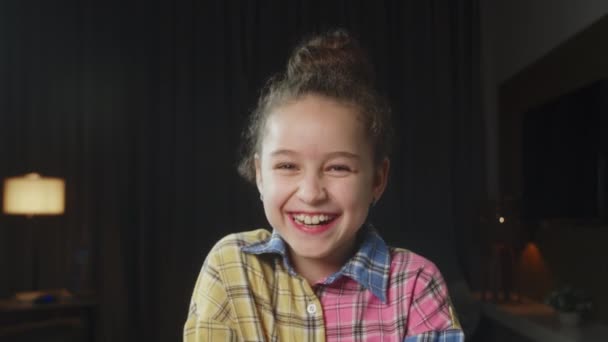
(248, 291)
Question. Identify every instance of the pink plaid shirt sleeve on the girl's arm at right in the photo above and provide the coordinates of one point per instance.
(431, 315)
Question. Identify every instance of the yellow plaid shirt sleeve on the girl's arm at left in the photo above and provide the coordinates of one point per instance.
(209, 315)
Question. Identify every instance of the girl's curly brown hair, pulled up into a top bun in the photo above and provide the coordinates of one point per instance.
(332, 65)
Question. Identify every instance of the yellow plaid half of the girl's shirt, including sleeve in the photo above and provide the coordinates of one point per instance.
(245, 297)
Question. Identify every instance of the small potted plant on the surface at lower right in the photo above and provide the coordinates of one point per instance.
(569, 303)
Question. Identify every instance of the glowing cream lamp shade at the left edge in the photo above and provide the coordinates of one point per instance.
(33, 194)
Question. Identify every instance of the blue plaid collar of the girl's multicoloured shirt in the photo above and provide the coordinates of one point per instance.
(370, 266)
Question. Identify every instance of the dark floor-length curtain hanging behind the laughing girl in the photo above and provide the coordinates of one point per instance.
(140, 105)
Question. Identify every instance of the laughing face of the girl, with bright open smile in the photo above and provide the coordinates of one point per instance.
(317, 177)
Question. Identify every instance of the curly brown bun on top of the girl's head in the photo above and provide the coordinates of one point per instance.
(334, 53)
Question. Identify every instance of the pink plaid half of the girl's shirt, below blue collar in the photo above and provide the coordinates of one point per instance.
(416, 302)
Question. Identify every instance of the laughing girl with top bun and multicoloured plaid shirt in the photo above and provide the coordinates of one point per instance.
(319, 144)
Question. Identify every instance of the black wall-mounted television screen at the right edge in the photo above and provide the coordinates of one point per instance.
(565, 156)
